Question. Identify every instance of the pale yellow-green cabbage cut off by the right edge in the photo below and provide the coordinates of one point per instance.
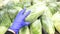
(56, 21)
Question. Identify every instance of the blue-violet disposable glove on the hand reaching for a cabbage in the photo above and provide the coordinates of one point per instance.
(19, 21)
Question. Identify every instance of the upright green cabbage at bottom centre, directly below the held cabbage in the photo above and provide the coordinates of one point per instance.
(36, 27)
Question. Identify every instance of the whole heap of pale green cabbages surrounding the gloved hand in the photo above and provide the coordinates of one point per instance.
(44, 14)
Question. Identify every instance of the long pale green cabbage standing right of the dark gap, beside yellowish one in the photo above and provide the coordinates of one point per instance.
(47, 23)
